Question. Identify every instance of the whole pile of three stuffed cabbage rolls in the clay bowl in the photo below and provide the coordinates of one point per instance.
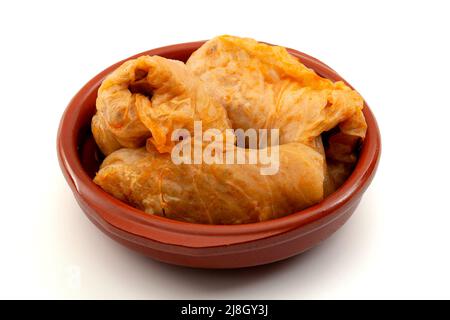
(229, 86)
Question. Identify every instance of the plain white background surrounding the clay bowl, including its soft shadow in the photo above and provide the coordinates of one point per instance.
(395, 53)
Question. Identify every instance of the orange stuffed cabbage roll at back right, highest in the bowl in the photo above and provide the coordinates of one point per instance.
(263, 86)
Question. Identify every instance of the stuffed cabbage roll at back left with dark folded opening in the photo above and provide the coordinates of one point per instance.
(148, 97)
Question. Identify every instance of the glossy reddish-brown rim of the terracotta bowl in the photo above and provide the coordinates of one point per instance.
(127, 218)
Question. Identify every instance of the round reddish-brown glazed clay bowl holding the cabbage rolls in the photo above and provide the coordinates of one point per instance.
(197, 245)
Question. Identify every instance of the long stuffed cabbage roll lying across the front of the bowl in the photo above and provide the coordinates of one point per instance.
(214, 193)
